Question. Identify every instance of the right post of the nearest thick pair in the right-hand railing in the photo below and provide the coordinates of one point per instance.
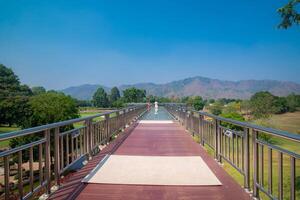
(255, 164)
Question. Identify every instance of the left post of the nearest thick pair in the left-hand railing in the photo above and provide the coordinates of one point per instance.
(47, 162)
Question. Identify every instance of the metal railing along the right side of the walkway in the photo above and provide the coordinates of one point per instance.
(250, 149)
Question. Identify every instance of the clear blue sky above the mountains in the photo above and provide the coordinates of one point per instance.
(58, 44)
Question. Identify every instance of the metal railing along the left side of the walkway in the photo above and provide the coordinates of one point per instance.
(54, 148)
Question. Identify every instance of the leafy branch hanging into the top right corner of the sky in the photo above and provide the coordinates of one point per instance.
(289, 14)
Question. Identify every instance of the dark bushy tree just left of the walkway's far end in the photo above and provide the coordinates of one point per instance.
(134, 95)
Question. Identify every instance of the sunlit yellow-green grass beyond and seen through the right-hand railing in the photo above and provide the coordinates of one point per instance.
(288, 122)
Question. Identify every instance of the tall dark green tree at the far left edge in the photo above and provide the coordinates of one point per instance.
(13, 97)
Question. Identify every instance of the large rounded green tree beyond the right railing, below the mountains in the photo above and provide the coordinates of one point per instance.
(262, 104)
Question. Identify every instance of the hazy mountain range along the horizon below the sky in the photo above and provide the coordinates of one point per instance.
(205, 87)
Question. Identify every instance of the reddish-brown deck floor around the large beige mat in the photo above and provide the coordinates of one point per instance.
(151, 140)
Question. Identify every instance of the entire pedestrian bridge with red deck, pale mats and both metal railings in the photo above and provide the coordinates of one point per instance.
(135, 153)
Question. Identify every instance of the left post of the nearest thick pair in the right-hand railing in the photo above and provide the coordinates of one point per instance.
(246, 159)
